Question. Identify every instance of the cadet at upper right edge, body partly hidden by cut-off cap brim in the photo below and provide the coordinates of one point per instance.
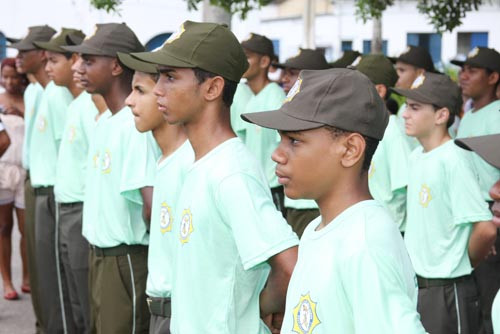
(480, 78)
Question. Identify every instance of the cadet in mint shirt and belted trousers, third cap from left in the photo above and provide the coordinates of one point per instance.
(120, 173)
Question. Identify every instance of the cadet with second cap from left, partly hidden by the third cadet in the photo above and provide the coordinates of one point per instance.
(72, 251)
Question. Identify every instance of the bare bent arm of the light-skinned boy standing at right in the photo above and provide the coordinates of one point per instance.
(481, 240)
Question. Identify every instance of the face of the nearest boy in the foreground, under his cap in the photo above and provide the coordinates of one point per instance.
(308, 162)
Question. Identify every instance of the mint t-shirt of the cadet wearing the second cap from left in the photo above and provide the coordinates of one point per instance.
(73, 151)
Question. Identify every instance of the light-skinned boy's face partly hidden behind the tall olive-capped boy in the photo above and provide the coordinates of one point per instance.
(143, 103)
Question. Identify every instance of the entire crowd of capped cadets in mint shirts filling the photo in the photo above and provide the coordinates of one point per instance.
(166, 191)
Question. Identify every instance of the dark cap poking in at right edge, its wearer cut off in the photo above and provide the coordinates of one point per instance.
(485, 146)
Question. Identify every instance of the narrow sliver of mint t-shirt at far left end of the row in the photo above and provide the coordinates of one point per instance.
(32, 97)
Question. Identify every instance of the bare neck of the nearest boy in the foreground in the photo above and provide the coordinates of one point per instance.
(346, 192)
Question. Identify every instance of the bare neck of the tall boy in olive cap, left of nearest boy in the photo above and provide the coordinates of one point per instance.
(209, 130)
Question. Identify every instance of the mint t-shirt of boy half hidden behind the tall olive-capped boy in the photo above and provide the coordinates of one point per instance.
(168, 184)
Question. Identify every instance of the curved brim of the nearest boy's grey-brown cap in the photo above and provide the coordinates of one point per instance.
(279, 120)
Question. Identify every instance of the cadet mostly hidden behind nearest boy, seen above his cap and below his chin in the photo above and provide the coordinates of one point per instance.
(300, 212)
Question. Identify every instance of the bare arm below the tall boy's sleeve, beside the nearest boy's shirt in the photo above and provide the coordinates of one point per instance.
(273, 296)
